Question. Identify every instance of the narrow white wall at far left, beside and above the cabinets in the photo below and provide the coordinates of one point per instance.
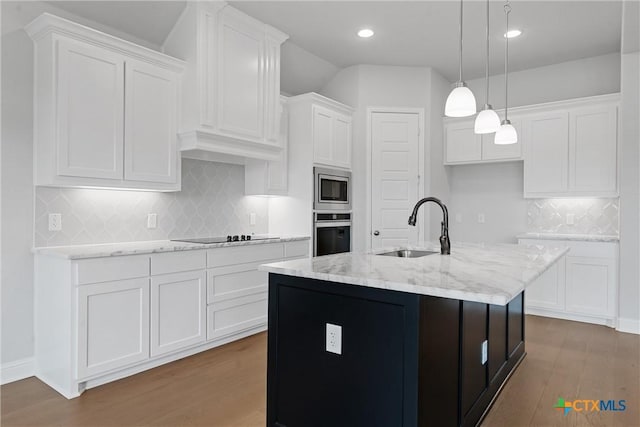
(17, 185)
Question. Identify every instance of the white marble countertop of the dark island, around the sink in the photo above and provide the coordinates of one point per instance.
(493, 274)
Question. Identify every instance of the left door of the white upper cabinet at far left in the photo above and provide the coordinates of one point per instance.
(90, 111)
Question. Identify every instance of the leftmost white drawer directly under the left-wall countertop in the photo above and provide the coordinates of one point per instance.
(98, 270)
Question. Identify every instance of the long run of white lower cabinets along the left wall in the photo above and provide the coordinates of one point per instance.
(101, 319)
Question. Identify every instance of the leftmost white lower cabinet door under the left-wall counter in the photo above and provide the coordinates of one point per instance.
(113, 325)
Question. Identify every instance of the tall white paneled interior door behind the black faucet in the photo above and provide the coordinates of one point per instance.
(395, 178)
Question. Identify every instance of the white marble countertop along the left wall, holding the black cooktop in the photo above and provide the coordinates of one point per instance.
(145, 247)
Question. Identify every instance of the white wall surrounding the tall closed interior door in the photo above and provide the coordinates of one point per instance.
(364, 86)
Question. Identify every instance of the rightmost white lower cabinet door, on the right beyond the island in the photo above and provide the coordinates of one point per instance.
(591, 286)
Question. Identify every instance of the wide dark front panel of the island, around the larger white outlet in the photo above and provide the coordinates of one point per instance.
(368, 374)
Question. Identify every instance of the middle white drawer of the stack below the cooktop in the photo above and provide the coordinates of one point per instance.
(235, 281)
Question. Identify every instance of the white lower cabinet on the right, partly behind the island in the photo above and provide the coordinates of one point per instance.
(582, 286)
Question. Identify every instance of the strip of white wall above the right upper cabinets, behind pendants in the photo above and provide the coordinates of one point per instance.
(573, 79)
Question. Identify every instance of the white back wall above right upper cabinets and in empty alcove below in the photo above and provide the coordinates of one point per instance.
(497, 188)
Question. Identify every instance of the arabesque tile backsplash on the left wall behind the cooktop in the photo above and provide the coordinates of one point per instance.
(211, 203)
